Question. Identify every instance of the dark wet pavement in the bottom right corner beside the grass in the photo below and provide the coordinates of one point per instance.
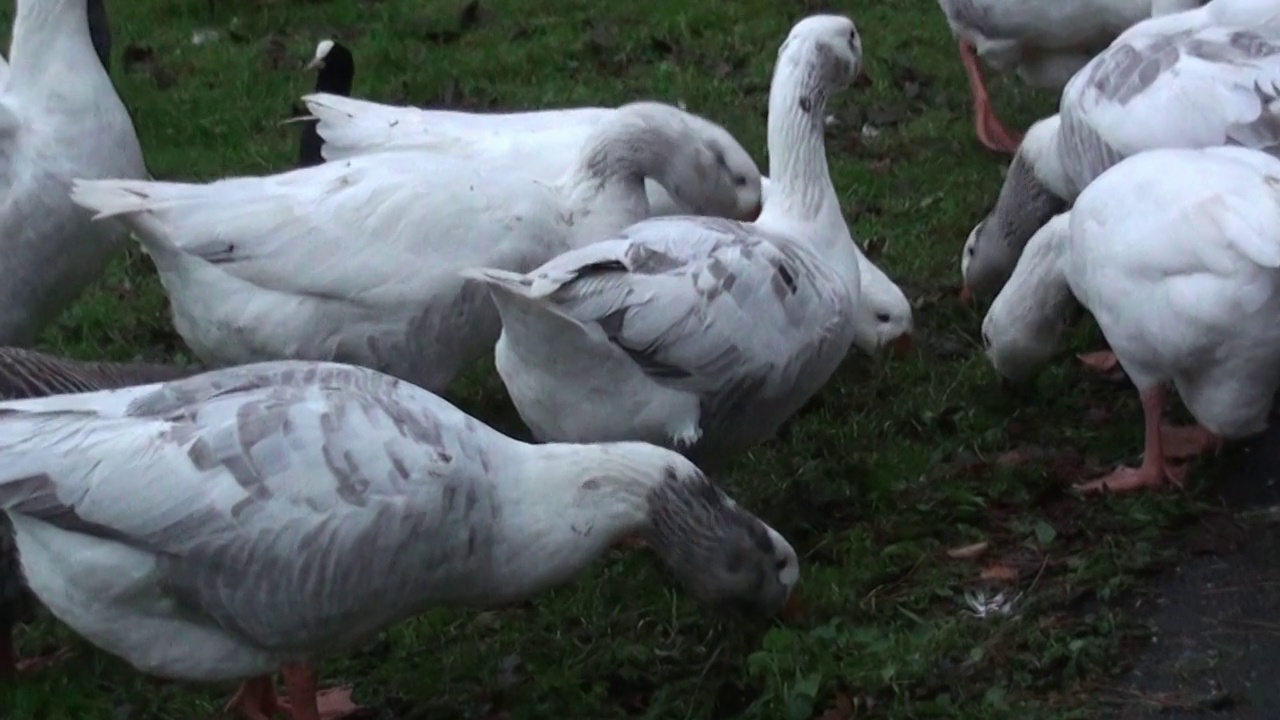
(1217, 650)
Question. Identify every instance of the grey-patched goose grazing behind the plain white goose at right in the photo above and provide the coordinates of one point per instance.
(1199, 79)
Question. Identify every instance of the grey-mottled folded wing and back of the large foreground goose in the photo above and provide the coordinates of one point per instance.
(300, 516)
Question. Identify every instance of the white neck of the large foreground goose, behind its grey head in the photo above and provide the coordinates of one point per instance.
(563, 508)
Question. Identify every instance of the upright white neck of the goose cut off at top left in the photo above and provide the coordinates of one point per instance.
(52, 42)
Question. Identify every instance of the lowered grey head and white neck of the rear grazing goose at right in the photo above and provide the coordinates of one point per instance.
(1027, 200)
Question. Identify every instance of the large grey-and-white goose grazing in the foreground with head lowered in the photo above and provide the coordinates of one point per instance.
(176, 526)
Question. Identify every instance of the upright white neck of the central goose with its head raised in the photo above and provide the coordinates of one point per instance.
(799, 179)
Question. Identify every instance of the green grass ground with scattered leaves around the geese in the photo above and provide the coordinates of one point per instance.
(893, 464)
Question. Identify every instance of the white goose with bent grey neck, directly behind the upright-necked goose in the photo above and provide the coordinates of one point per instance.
(282, 267)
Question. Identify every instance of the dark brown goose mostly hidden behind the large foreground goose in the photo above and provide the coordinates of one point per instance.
(26, 373)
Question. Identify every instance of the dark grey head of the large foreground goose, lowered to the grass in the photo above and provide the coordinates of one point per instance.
(719, 552)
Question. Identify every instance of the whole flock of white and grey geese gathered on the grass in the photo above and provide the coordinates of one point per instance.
(653, 303)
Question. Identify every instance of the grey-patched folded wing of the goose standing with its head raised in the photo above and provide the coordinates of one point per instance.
(703, 306)
